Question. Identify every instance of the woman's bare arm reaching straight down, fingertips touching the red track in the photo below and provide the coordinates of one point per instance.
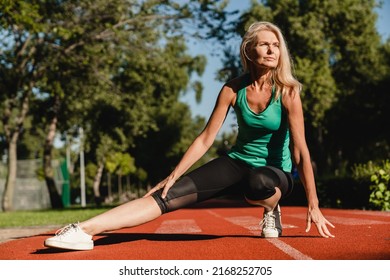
(301, 156)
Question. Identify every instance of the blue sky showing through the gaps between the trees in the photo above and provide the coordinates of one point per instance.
(212, 86)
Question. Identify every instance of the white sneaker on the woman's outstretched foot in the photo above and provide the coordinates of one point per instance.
(70, 237)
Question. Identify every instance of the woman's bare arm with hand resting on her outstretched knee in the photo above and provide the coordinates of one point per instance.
(203, 142)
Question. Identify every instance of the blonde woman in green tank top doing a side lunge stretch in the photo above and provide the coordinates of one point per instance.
(269, 113)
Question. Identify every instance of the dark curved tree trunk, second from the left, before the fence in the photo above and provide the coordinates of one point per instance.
(55, 198)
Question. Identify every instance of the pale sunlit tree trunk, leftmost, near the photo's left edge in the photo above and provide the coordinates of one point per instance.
(11, 176)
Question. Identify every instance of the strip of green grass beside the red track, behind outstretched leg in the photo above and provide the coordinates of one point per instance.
(47, 217)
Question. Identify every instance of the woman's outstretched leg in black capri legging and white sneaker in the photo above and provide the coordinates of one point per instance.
(195, 187)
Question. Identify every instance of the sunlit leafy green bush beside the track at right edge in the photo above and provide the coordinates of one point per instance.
(378, 176)
